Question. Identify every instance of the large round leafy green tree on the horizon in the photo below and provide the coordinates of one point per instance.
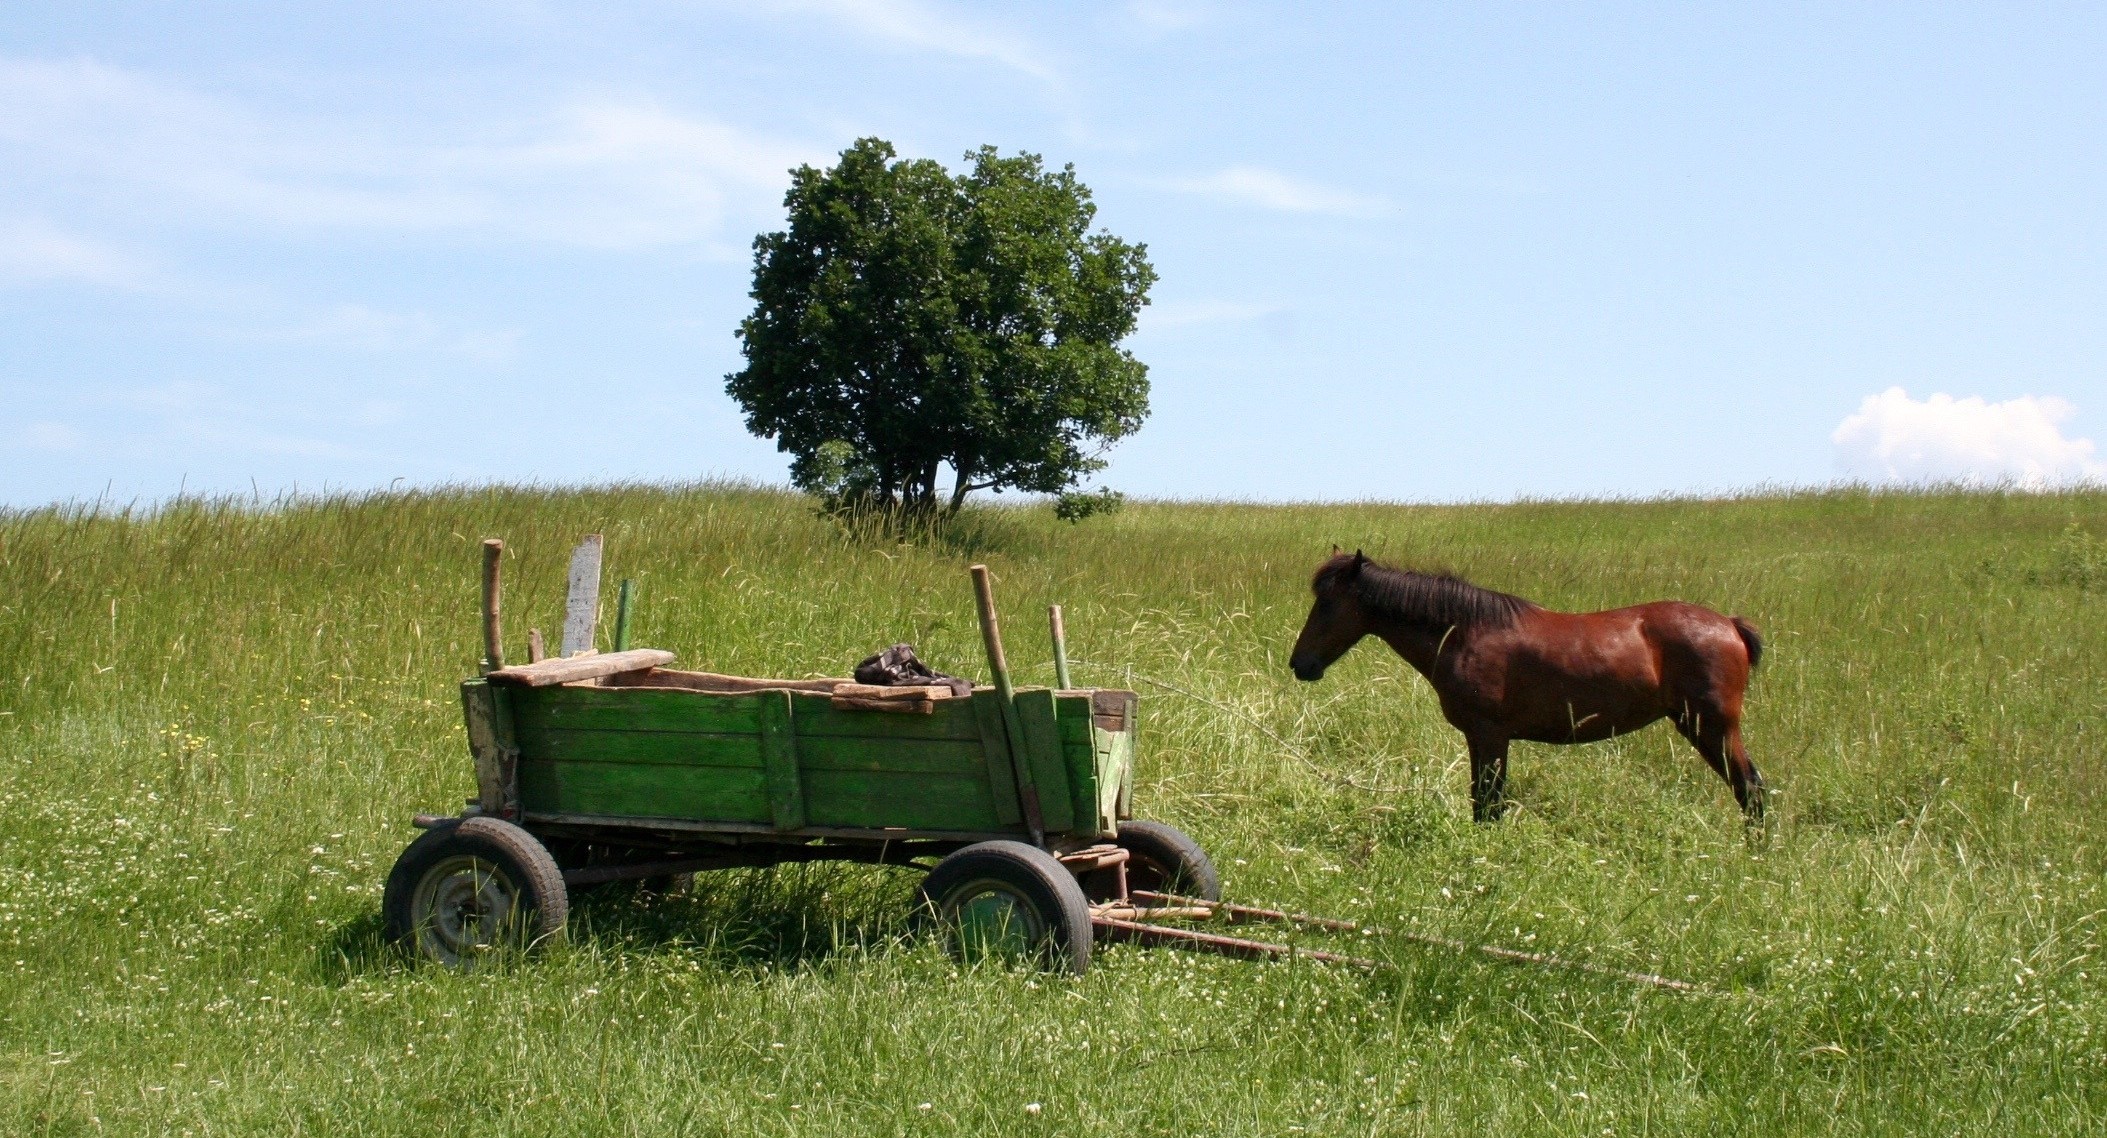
(909, 319)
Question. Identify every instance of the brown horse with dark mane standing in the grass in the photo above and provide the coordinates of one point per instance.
(1508, 669)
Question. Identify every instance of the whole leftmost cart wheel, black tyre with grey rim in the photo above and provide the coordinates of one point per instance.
(473, 886)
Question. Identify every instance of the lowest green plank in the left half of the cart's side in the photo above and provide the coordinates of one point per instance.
(644, 791)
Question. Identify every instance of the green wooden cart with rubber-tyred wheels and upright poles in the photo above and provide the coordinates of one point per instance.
(606, 768)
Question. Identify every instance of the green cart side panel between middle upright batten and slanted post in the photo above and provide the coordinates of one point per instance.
(894, 770)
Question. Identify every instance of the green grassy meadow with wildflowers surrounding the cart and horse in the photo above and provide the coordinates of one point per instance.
(218, 720)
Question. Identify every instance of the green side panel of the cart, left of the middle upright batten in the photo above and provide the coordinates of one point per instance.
(642, 753)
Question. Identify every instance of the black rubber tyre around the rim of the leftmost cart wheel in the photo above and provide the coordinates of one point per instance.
(540, 899)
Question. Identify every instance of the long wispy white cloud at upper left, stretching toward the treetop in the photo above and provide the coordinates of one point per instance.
(595, 174)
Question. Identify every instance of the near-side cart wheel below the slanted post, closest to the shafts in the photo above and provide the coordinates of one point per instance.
(1006, 899)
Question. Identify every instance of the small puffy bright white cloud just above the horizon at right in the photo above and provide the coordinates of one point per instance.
(2020, 442)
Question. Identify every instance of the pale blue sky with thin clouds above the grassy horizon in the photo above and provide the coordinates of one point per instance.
(1406, 252)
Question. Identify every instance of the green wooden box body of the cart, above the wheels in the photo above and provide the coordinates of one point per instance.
(690, 751)
